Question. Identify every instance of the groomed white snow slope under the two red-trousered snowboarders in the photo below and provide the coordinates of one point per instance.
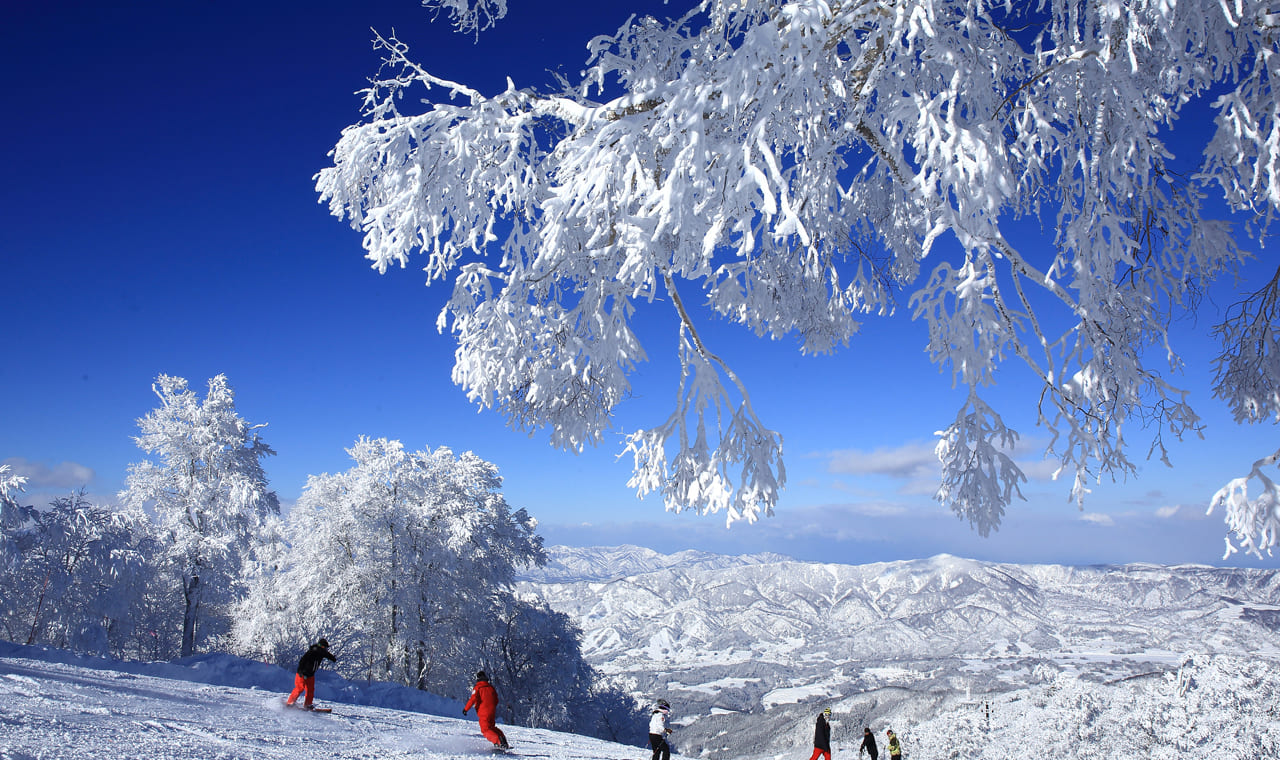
(56, 706)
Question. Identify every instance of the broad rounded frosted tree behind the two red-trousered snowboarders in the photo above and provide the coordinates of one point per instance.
(400, 562)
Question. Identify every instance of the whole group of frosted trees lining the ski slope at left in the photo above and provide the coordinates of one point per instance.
(406, 564)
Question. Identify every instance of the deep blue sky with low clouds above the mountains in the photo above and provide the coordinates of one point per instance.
(161, 217)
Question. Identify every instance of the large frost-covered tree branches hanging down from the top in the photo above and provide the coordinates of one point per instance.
(792, 166)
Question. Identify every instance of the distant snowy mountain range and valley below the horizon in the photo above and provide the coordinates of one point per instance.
(753, 645)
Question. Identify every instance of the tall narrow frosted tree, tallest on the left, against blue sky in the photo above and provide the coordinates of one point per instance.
(209, 493)
